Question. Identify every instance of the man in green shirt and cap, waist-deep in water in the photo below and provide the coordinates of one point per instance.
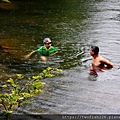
(46, 50)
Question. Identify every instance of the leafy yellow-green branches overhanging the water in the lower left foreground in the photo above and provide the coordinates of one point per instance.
(19, 94)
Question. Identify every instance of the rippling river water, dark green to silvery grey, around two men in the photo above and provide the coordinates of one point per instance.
(73, 26)
